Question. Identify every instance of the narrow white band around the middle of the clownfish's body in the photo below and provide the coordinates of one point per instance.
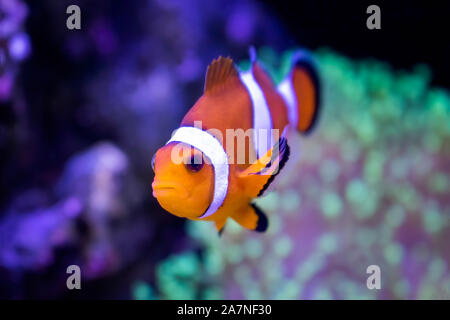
(262, 120)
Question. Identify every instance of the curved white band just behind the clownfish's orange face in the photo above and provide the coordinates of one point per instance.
(211, 148)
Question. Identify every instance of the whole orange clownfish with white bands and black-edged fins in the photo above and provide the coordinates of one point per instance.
(209, 183)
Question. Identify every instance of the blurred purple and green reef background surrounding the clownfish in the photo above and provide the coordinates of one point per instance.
(83, 111)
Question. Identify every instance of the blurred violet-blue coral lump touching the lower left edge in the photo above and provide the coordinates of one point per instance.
(28, 238)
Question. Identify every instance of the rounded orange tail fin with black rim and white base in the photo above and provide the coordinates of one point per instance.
(301, 92)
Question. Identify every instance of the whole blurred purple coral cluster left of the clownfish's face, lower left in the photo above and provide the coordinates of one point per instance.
(94, 211)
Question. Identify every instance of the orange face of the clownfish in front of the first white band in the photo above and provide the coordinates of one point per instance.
(184, 180)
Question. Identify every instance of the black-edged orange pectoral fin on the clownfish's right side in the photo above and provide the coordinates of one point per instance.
(261, 173)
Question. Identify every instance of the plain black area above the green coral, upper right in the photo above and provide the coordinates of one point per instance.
(411, 31)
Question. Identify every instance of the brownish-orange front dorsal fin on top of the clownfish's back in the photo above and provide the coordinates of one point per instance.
(221, 72)
